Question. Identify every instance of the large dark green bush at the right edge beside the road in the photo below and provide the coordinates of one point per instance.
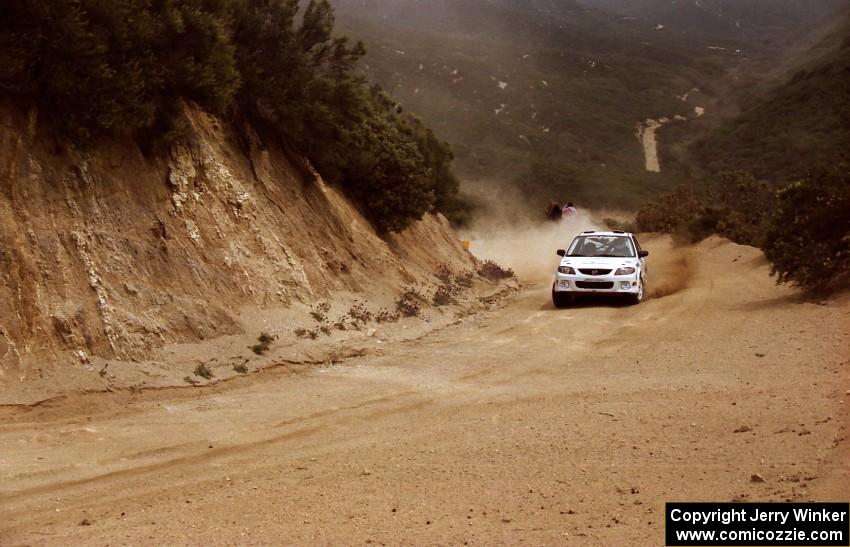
(808, 240)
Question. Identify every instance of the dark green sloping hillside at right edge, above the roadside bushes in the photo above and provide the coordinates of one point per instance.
(798, 125)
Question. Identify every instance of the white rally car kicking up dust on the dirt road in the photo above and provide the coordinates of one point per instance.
(601, 262)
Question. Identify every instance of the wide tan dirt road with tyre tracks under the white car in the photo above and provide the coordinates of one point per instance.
(522, 425)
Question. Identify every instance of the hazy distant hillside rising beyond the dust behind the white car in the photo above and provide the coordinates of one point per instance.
(540, 95)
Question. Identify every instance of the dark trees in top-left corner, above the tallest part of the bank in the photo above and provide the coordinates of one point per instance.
(94, 66)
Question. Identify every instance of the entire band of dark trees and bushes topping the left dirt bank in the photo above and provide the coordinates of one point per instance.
(97, 67)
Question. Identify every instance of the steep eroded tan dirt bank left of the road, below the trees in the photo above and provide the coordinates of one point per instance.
(109, 254)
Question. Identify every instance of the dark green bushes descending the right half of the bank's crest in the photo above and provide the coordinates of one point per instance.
(300, 86)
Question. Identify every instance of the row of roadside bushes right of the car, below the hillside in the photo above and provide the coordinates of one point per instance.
(803, 228)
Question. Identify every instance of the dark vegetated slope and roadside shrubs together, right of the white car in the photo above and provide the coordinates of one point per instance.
(794, 141)
